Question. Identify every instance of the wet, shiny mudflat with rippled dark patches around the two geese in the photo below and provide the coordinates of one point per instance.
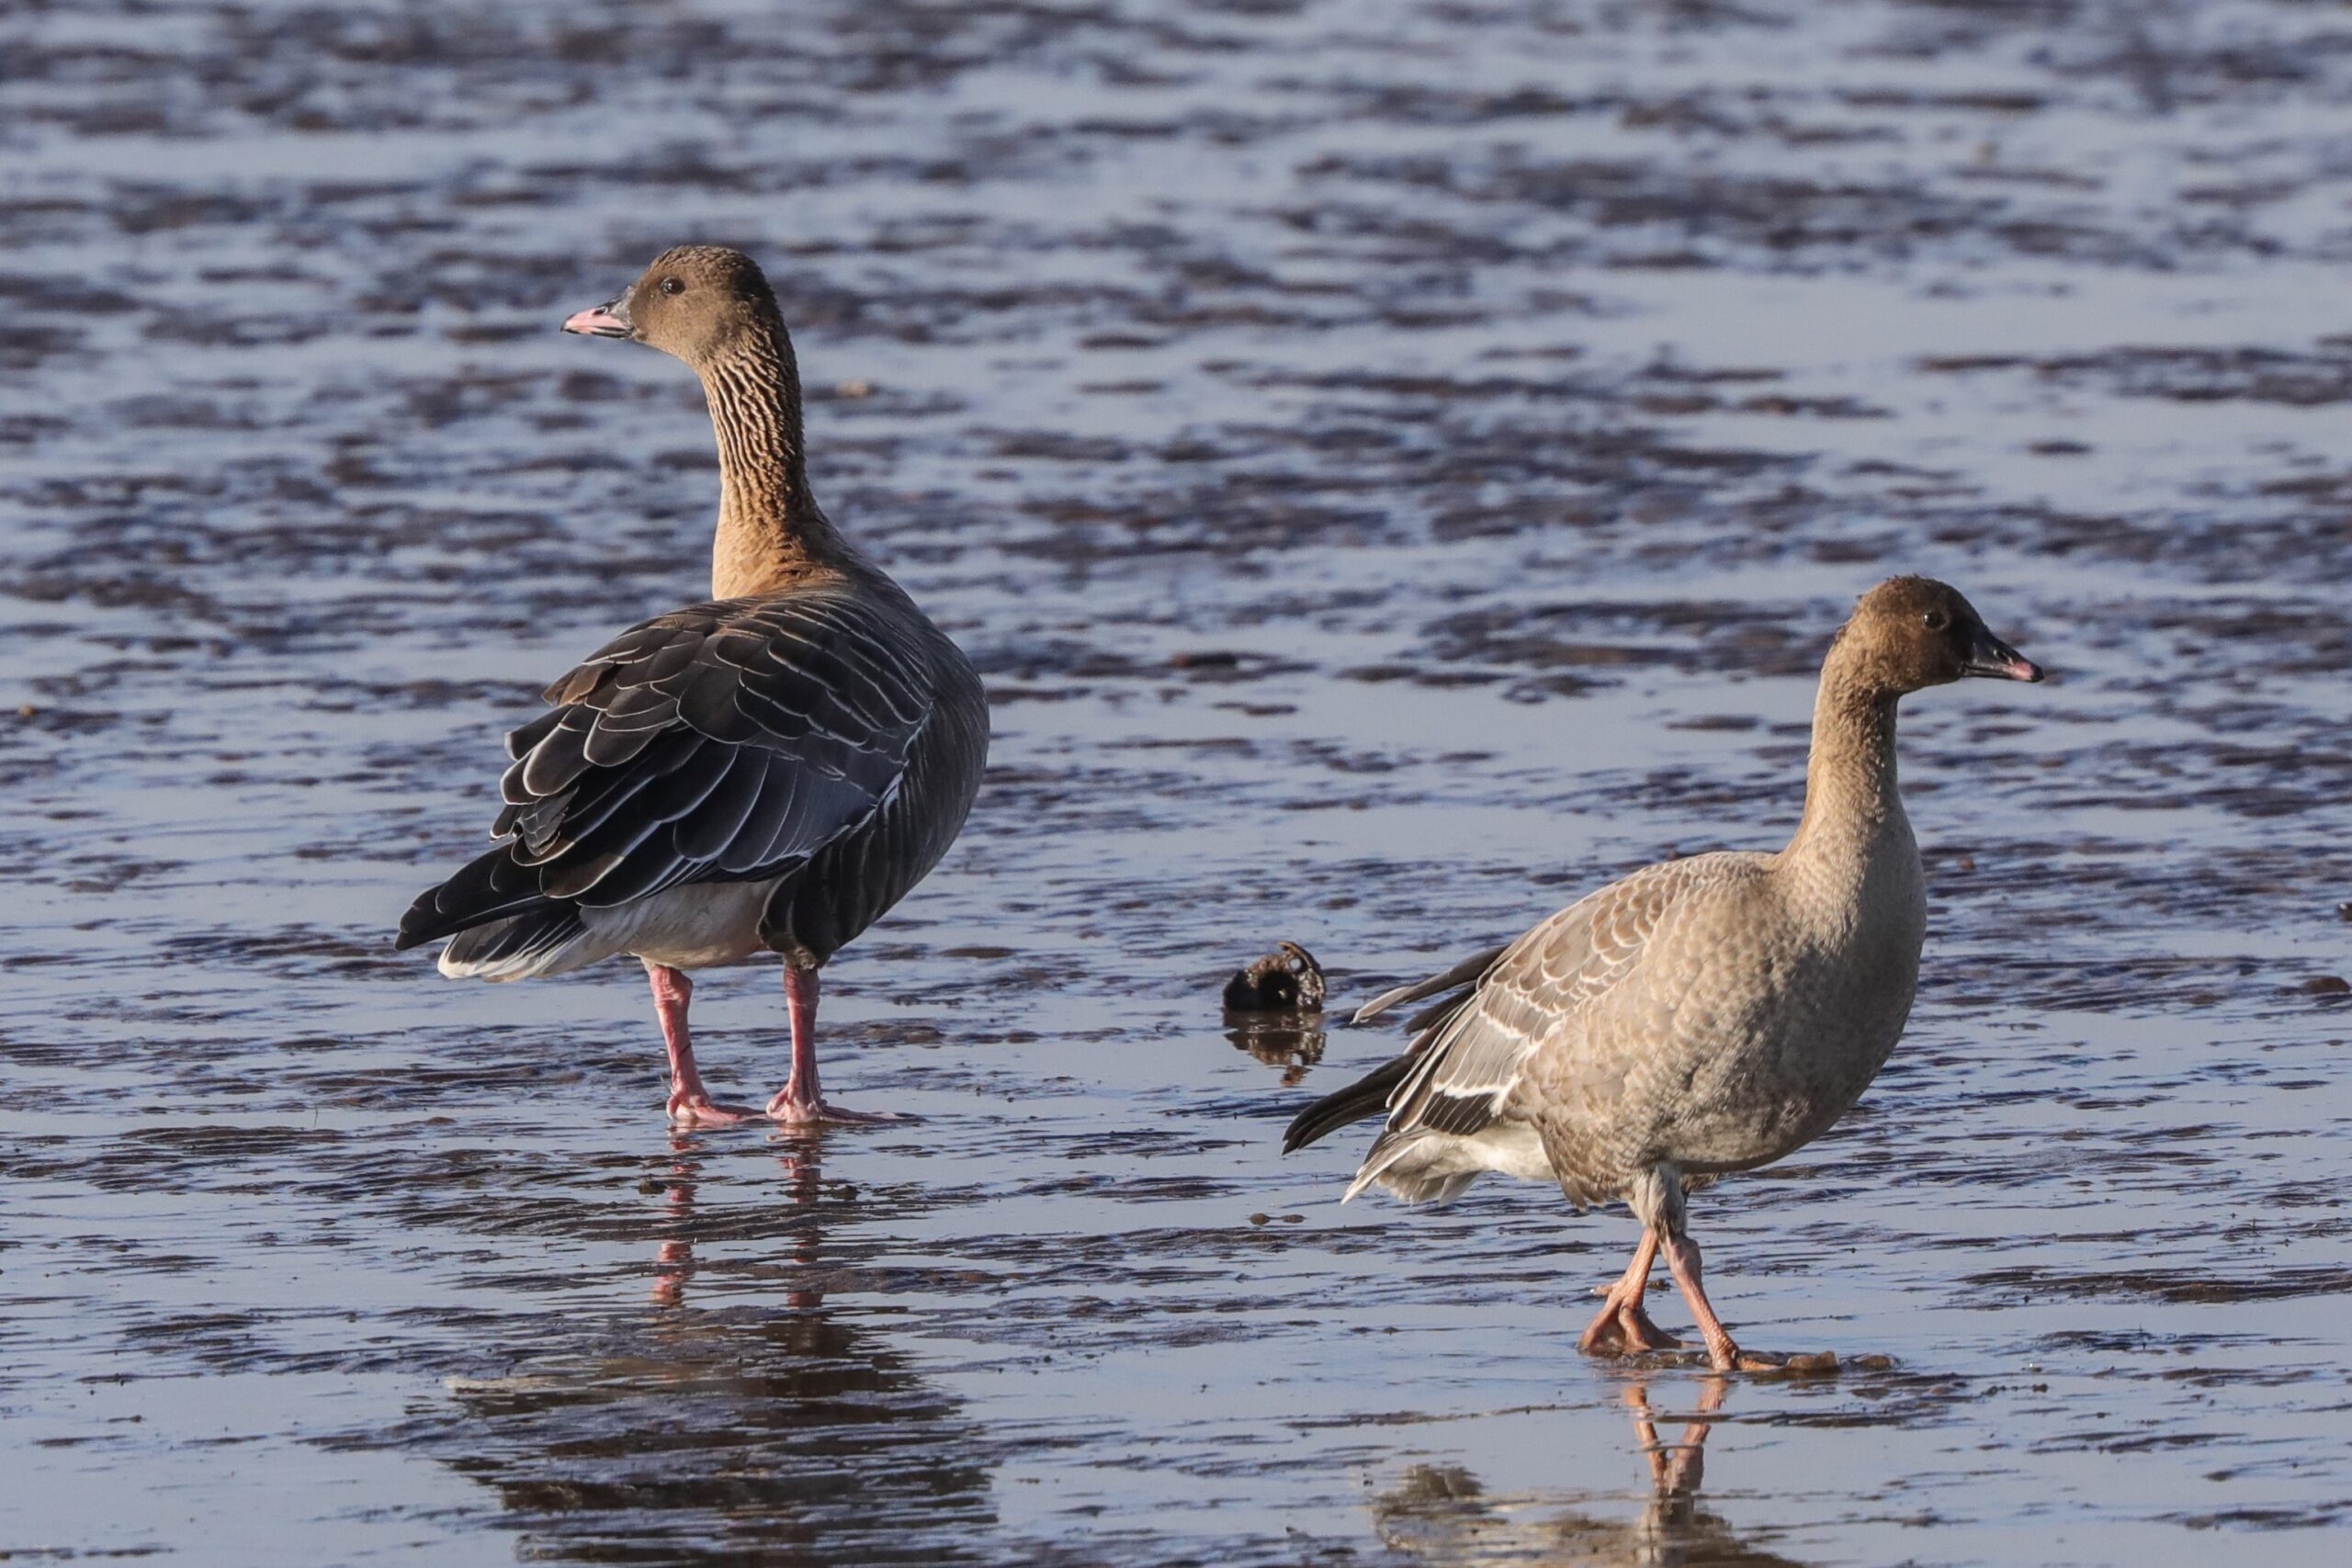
(1398, 467)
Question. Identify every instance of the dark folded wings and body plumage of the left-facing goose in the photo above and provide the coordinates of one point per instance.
(824, 739)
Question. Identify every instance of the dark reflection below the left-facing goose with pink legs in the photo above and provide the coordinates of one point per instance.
(733, 1416)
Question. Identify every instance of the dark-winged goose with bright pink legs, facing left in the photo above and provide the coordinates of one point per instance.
(768, 772)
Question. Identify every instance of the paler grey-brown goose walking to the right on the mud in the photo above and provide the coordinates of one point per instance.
(1699, 1017)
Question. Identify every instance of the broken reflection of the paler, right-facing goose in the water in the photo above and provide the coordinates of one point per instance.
(1443, 1515)
